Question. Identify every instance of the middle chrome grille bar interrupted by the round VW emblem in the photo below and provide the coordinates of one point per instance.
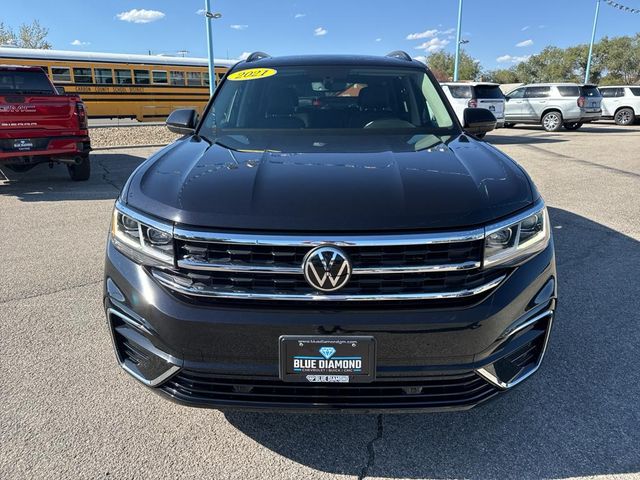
(231, 267)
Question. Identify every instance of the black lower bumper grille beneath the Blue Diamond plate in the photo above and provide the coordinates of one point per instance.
(205, 389)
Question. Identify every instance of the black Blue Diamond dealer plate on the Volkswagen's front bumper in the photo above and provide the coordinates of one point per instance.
(327, 359)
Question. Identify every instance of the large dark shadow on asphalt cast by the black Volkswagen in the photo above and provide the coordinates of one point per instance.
(578, 416)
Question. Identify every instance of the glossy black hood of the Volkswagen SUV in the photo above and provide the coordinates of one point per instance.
(346, 183)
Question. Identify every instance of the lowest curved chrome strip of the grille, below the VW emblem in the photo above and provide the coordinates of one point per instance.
(165, 279)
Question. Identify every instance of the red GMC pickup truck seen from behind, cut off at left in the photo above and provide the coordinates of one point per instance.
(40, 125)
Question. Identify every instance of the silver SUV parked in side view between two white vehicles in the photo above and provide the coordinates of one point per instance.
(553, 105)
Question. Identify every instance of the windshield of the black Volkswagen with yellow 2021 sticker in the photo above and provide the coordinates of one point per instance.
(348, 98)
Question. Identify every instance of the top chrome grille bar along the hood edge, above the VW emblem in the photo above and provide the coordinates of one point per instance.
(336, 240)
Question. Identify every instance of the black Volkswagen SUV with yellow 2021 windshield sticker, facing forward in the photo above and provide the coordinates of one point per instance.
(329, 237)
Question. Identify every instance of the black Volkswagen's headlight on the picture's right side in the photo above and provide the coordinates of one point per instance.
(518, 239)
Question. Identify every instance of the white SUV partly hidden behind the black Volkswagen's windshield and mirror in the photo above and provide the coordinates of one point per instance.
(464, 95)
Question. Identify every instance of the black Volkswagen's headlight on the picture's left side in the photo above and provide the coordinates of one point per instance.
(140, 238)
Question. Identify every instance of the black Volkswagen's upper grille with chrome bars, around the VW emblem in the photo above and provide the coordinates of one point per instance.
(396, 268)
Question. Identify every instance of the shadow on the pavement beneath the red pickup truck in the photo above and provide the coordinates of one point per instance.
(109, 172)
